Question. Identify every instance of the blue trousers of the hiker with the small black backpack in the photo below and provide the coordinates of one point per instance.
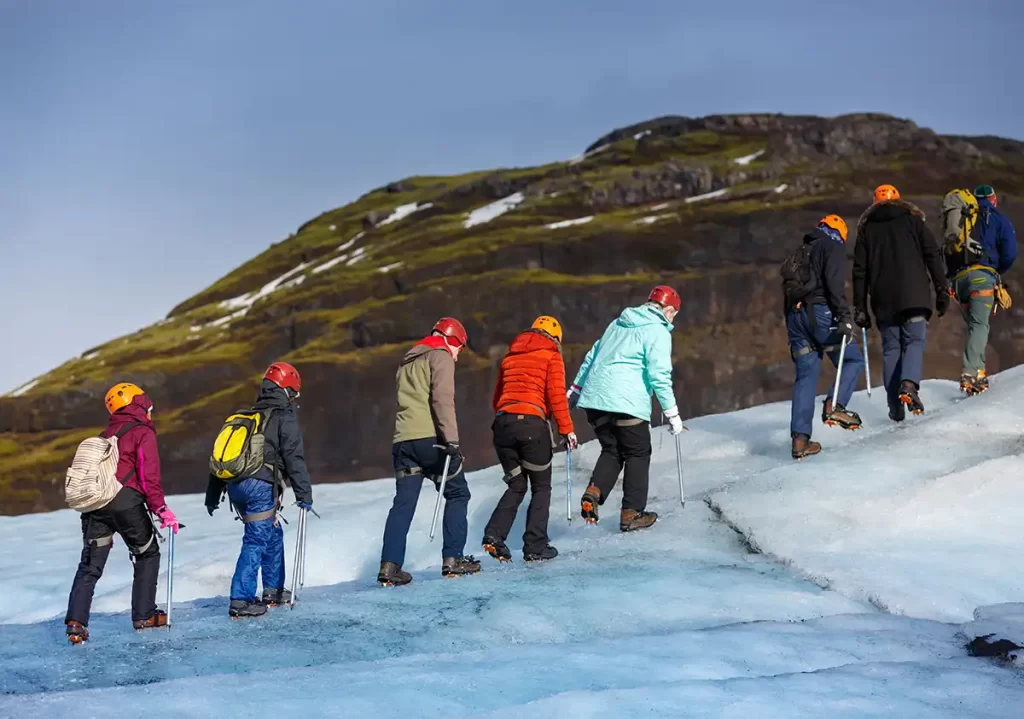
(820, 340)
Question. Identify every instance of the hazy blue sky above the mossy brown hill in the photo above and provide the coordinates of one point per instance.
(149, 148)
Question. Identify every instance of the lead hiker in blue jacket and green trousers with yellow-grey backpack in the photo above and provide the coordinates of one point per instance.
(975, 265)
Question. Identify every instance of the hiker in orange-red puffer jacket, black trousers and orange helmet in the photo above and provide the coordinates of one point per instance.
(531, 389)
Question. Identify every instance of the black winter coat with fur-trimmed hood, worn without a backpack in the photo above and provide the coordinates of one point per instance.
(895, 257)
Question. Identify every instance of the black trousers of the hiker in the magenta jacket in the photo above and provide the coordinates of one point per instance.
(129, 517)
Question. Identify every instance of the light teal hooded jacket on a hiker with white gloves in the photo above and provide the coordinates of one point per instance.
(631, 361)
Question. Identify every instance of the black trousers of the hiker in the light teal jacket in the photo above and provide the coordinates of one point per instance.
(625, 443)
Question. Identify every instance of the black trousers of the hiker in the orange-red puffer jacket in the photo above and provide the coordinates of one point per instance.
(524, 447)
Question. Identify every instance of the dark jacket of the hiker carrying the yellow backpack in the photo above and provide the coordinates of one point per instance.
(283, 449)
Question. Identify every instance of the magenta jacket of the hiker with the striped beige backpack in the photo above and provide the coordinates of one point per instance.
(139, 463)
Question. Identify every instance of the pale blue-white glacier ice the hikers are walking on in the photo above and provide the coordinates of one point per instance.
(682, 620)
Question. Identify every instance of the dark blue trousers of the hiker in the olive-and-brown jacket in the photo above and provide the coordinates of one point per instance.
(430, 460)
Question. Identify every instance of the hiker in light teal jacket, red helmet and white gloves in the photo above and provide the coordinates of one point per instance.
(632, 360)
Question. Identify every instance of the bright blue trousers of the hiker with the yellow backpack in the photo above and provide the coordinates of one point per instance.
(263, 544)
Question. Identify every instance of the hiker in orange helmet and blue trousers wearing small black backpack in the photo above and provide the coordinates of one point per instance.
(819, 322)
